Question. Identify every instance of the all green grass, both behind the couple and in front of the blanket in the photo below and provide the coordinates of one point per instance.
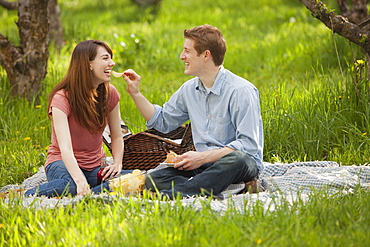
(314, 107)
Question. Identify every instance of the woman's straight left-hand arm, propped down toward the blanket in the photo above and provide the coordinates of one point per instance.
(62, 132)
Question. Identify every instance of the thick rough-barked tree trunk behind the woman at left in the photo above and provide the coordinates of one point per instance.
(26, 64)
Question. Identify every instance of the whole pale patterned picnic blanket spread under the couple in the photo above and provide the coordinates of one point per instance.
(283, 182)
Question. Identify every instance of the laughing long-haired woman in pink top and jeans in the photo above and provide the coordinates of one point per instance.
(80, 107)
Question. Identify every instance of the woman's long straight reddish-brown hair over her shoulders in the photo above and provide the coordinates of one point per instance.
(89, 106)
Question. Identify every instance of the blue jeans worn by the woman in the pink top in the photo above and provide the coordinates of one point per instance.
(60, 182)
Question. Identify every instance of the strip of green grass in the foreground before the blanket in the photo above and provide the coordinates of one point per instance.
(323, 221)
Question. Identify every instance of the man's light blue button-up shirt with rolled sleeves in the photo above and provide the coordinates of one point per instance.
(228, 115)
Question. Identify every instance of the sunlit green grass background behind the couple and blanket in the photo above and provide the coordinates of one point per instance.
(314, 106)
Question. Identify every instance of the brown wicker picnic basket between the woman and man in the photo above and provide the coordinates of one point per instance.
(146, 150)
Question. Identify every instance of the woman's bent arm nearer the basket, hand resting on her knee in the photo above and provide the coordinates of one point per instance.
(114, 123)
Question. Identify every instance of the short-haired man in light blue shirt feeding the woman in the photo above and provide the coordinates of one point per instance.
(224, 112)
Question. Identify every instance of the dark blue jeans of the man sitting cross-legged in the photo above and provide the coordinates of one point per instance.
(209, 179)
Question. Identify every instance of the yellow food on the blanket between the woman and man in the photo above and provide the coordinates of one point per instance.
(128, 183)
